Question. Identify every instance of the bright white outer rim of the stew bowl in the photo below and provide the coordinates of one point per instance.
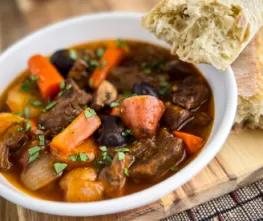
(148, 195)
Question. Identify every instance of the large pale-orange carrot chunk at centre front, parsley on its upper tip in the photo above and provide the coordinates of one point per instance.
(79, 130)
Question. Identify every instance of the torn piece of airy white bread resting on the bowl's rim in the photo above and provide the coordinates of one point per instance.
(206, 31)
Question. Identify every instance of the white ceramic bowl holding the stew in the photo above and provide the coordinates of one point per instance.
(106, 26)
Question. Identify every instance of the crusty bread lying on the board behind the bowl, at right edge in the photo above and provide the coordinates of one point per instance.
(248, 69)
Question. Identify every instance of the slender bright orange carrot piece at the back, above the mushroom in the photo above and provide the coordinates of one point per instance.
(110, 59)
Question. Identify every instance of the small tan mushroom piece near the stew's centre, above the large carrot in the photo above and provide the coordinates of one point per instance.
(104, 95)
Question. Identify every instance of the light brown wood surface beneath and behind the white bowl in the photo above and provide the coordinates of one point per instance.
(239, 163)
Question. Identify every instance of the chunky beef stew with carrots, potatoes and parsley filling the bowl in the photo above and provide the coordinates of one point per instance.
(102, 120)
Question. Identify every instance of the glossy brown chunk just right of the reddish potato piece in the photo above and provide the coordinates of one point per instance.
(175, 117)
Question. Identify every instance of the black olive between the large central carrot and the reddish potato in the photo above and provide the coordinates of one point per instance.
(111, 132)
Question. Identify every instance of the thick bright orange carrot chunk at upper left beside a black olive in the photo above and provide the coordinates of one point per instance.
(49, 77)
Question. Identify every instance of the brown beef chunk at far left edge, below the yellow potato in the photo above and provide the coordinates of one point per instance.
(11, 141)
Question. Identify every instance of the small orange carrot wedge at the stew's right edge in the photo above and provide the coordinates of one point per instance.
(193, 143)
